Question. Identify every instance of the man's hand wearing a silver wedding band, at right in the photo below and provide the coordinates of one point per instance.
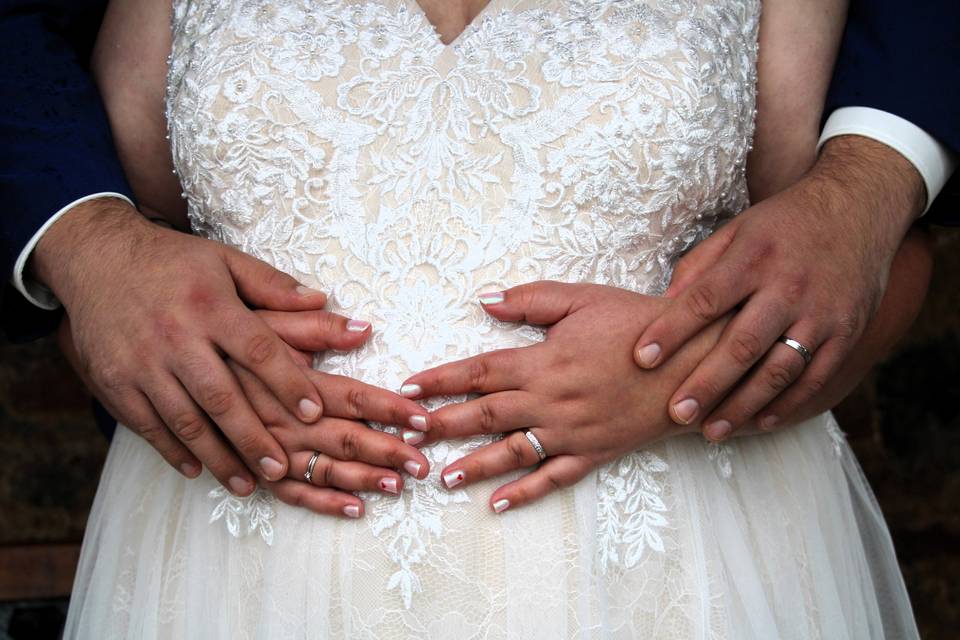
(810, 263)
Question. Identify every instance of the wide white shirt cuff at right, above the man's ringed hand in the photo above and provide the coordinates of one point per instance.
(933, 161)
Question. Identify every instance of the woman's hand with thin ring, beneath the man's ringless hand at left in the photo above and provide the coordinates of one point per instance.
(353, 456)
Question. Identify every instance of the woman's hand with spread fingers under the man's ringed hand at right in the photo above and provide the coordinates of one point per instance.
(579, 392)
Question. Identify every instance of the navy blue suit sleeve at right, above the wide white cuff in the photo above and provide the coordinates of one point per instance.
(901, 57)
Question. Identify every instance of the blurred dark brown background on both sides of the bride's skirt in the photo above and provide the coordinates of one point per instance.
(903, 422)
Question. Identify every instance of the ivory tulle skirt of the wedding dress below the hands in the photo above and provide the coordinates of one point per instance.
(772, 536)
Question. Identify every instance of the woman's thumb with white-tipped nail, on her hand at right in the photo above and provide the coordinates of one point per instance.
(544, 302)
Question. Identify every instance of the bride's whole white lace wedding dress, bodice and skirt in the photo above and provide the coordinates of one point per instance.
(575, 140)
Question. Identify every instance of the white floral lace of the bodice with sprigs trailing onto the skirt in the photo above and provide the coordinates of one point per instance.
(574, 140)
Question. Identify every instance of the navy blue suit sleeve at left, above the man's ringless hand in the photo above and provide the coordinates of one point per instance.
(55, 141)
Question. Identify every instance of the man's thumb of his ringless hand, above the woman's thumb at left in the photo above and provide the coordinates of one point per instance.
(264, 287)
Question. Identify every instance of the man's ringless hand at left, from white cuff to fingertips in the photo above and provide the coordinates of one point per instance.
(152, 314)
